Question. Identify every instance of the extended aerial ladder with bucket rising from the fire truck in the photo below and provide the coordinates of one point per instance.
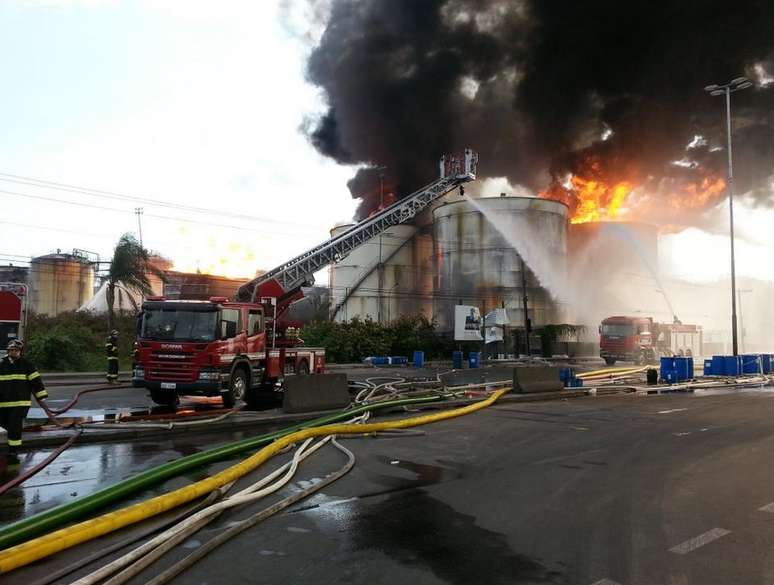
(282, 286)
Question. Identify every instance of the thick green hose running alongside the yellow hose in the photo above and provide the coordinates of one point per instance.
(55, 517)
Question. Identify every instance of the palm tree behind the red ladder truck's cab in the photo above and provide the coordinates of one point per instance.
(129, 271)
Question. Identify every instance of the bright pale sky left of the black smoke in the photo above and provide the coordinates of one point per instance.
(166, 101)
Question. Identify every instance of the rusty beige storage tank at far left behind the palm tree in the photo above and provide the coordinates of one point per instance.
(59, 283)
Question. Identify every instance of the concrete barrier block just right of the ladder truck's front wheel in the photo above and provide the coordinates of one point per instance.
(316, 392)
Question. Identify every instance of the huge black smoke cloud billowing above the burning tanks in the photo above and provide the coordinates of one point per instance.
(534, 85)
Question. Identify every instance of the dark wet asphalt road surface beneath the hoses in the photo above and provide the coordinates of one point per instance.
(673, 489)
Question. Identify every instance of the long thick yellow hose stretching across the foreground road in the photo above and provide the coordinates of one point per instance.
(54, 542)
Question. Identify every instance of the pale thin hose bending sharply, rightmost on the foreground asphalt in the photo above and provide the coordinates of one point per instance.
(251, 521)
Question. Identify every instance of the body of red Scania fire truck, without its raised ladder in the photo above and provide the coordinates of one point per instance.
(216, 348)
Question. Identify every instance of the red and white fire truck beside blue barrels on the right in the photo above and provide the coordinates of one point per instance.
(643, 341)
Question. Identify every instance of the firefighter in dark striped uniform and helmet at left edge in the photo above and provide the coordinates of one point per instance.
(18, 380)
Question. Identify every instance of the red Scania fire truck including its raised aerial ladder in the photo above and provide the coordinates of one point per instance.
(242, 349)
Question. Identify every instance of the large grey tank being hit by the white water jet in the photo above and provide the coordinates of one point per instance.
(479, 247)
